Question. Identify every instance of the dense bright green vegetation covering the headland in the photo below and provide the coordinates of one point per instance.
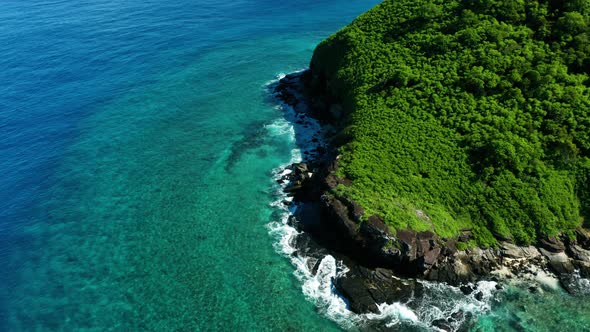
(466, 114)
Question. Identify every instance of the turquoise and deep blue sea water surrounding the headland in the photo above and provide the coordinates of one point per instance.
(138, 145)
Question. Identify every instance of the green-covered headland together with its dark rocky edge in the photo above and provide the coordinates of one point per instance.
(458, 143)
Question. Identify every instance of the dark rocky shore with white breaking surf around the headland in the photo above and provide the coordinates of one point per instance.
(368, 281)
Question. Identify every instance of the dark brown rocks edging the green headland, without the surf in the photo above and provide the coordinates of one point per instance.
(374, 254)
